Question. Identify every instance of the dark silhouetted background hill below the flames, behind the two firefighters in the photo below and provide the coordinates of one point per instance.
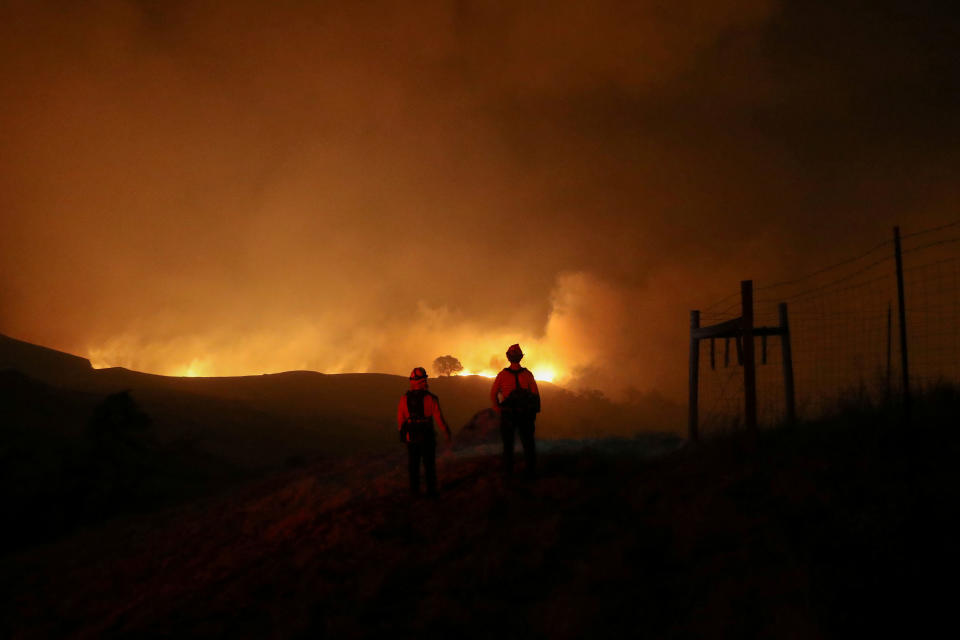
(206, 434)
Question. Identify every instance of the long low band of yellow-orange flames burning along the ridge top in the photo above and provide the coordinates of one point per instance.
(304, 346)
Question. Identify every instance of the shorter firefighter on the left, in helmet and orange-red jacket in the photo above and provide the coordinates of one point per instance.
(416, 413)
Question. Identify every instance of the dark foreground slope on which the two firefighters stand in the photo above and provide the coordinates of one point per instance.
(836, 530)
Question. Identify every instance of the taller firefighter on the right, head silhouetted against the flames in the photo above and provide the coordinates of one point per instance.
(516, 397)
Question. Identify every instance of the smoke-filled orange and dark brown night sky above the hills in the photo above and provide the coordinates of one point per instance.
(211, 188)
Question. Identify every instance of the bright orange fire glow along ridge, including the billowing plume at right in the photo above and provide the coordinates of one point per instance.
(330, 344)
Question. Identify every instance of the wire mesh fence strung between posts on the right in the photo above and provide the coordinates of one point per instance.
(845, 328)
